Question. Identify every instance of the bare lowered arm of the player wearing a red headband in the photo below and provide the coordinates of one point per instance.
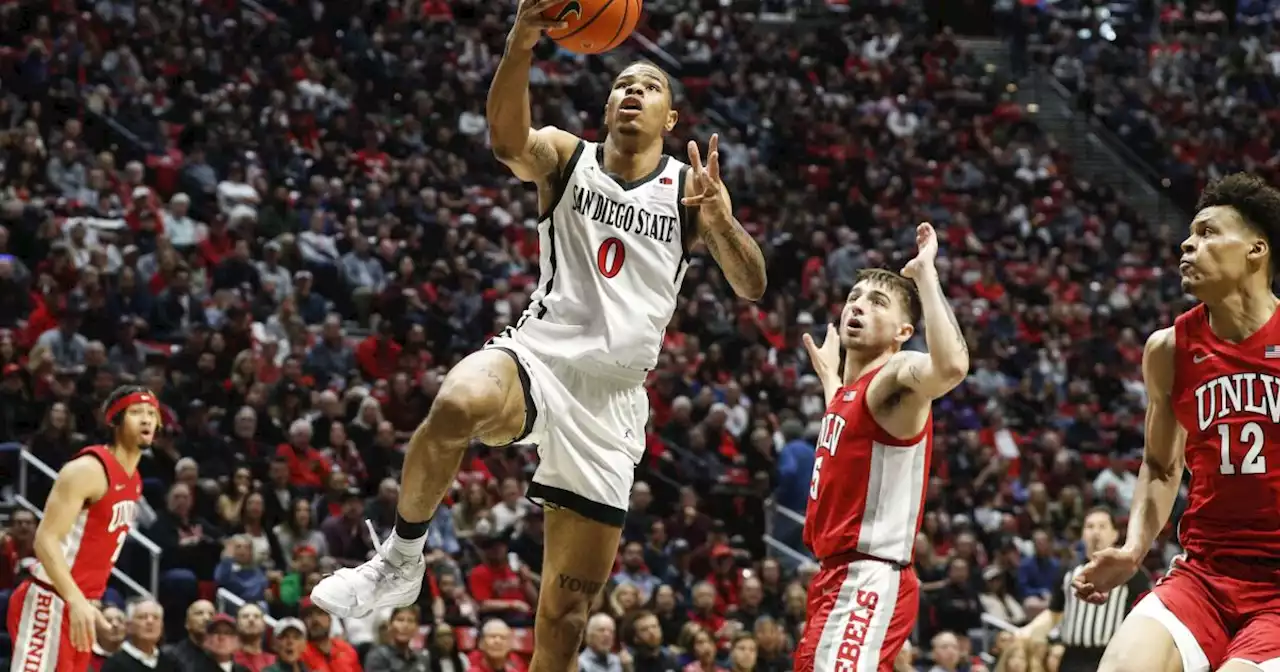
(81, 482)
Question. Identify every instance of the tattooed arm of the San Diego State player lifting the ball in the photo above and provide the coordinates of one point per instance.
(532, 156)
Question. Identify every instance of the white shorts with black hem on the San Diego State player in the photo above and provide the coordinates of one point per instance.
(589, 431)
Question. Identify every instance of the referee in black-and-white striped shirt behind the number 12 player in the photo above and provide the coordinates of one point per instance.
(1086, 629)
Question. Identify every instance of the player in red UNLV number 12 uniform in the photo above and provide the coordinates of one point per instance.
(1214, 406)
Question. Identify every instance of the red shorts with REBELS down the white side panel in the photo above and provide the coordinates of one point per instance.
(860, 616)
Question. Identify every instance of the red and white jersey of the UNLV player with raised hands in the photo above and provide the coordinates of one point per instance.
(867, 493)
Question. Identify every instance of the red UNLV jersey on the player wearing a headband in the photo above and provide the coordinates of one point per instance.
(99, 534)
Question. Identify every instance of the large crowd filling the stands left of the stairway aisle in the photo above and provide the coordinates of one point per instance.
(285, 220)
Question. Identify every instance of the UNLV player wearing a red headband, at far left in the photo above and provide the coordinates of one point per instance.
(88, 518)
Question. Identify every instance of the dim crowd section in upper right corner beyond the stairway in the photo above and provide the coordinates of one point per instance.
(1191, 90)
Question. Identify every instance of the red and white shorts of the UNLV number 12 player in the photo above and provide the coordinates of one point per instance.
(1219, 612)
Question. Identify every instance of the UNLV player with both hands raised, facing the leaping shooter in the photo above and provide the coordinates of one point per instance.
(872, 464)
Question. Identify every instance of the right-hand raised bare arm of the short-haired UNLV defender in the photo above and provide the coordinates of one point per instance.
(948, 362)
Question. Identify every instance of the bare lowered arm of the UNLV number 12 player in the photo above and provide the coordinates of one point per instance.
(1159, 478)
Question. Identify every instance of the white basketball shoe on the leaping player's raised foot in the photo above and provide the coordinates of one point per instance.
(388, 580)
